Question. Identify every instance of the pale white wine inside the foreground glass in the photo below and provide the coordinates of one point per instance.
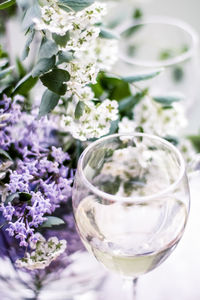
(131, 240)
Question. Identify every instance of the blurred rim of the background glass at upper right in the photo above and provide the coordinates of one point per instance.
(163, 20)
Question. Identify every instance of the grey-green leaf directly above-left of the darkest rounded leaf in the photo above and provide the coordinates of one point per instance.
(43, 66)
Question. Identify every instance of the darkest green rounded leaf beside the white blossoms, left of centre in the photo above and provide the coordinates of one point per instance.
(54, 81)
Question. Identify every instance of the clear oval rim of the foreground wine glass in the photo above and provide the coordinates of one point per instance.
(135, 199)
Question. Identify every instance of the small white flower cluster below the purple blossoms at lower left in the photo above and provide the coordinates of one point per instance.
(44, 253)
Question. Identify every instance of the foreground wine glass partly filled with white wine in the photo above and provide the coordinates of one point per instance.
(131, 202)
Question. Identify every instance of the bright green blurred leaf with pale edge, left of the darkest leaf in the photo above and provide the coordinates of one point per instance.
(25, 85)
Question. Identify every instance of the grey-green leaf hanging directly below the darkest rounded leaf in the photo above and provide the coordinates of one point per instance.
(48, 103)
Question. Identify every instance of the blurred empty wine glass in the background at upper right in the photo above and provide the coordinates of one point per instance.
(166, 43)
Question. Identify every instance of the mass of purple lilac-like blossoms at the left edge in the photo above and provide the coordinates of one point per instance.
(40, 181)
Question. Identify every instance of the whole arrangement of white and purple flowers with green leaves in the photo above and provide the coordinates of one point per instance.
(82, 100)
